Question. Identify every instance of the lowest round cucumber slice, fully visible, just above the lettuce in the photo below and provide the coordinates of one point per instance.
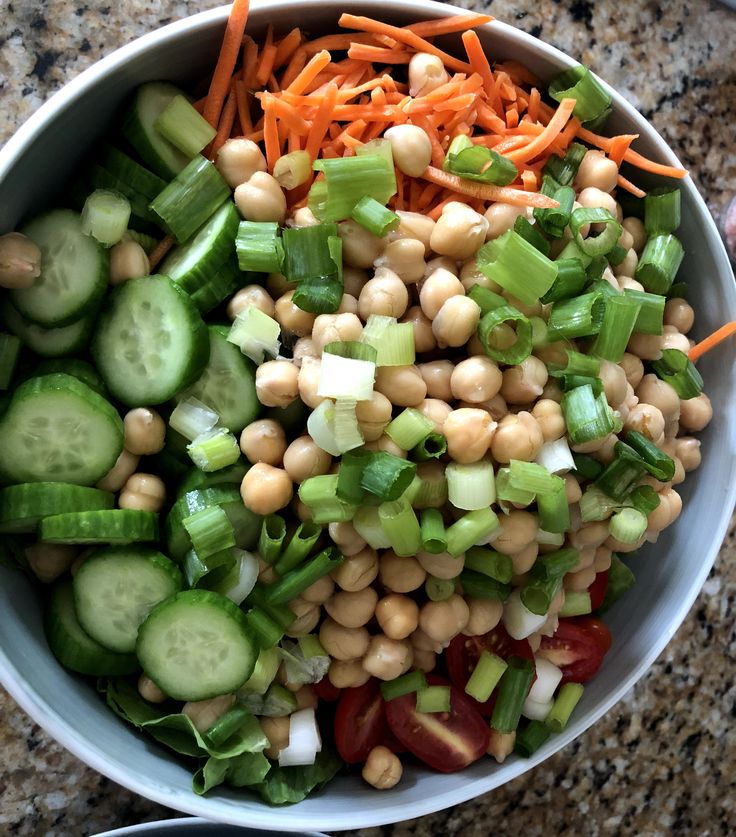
(196, 645)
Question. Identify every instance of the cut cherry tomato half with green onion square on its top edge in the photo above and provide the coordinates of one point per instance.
(465, 734)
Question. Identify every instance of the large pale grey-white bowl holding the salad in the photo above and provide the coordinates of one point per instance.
(37, 161)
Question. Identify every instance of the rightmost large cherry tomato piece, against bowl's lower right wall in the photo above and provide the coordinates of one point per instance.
(577, 648)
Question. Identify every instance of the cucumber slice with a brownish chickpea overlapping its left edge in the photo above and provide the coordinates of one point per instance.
(74, 271)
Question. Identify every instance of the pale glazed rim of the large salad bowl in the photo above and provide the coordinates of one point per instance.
(267, 818)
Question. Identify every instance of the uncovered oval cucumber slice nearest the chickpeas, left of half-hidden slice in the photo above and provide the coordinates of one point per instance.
(150, 341)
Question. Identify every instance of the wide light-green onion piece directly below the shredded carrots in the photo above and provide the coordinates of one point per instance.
(347, 180)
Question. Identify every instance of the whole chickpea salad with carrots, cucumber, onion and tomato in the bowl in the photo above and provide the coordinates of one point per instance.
(335, 397)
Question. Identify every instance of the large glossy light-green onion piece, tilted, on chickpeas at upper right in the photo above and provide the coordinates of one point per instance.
(517, 266)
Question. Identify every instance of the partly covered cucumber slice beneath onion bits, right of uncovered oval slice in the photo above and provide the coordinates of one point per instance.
(228, 383)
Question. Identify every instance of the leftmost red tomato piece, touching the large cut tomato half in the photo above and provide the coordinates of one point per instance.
(360, 722)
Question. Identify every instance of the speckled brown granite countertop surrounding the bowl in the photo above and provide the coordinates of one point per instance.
(663, 760)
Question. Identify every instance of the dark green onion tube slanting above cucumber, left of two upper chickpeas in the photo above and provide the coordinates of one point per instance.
(190, 199)
